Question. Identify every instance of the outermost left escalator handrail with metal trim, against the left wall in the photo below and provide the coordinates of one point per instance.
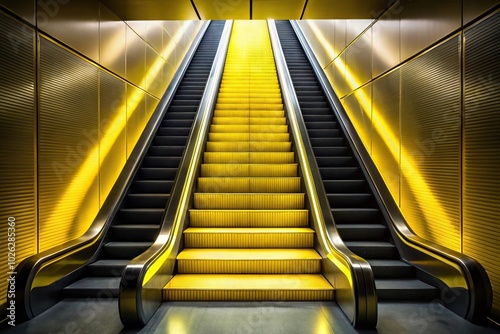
(41, 277)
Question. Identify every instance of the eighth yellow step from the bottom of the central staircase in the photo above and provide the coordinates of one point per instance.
(249, 157)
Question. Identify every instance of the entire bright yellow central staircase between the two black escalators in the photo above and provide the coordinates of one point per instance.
(249, 237)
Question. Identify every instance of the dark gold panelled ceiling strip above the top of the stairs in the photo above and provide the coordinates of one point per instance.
(246, 9)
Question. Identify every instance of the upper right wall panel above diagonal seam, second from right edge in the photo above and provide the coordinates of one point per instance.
(432, 20)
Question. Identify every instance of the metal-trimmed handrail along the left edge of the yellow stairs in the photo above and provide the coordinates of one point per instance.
(144, 278)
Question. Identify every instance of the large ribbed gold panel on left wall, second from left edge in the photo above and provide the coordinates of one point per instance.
(68, 160)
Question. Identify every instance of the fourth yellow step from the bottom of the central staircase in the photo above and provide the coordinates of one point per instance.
(248, 218)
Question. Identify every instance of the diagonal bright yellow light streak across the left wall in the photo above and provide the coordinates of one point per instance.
(81, 183)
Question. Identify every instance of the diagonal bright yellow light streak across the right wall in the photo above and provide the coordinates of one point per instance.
(430, 204)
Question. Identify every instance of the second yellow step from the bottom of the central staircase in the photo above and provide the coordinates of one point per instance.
(249, 261)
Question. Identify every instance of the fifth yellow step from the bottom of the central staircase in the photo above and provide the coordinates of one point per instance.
(248, 201)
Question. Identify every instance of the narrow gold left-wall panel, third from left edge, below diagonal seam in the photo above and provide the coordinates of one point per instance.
(112, 131)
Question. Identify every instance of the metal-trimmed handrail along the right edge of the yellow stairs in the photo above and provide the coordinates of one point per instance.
(351, 275)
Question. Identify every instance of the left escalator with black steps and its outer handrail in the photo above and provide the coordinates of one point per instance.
(130, 220)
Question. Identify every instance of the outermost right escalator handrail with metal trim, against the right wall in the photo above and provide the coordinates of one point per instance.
(464, 284)
